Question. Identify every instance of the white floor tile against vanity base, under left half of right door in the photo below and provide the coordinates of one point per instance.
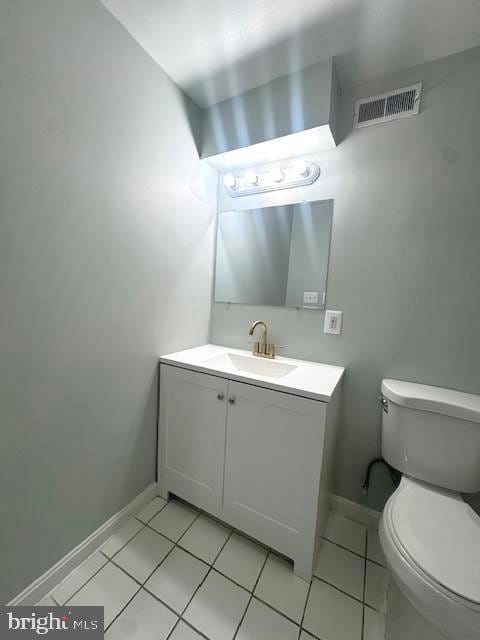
(241, 560)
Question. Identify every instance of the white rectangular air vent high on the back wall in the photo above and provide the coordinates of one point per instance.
(387, 106)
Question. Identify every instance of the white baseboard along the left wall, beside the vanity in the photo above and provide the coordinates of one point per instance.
(40, 587)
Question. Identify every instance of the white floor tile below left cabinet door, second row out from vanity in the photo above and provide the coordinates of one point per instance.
(177, 578)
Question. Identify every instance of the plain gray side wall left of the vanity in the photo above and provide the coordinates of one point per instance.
(106, 249)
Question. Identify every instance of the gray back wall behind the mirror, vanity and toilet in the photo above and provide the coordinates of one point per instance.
(405, 259)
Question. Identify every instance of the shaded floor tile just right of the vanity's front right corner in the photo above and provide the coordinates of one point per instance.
(341, 568)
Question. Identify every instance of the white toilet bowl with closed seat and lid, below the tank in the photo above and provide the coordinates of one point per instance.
(437, 571)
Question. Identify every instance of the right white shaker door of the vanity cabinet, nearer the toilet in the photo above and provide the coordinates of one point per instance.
(273, 459)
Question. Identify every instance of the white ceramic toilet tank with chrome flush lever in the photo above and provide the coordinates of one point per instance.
(432, 434)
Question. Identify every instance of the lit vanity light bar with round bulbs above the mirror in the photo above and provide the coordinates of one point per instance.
(298, 174)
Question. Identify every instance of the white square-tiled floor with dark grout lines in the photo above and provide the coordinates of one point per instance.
(174, 573)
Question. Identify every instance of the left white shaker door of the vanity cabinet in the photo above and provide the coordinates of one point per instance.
(192, 436)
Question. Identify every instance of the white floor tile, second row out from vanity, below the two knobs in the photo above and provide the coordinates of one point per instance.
(218, 607)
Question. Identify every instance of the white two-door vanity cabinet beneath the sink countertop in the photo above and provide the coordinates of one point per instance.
(257, 458)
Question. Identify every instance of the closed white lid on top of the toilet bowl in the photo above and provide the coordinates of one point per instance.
(441, 533)
